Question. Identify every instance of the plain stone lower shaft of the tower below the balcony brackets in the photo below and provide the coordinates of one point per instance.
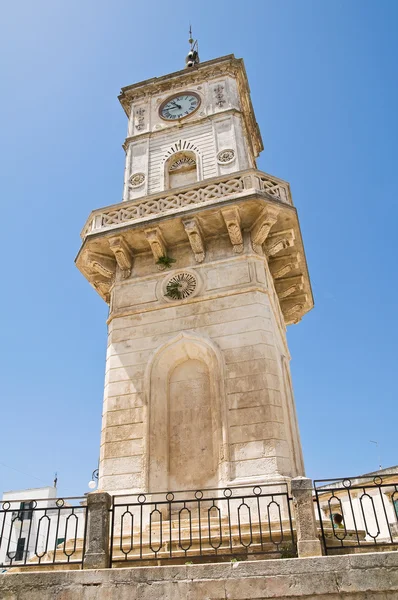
(198, 391)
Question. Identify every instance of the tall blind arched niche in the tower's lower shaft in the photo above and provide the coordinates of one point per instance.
(186, 426)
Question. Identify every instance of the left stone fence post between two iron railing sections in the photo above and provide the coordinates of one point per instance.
(96, 555)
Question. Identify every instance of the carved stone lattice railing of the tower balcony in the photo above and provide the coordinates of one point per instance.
(202, 192)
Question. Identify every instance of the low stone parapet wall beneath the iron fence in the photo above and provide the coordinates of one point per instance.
(357, 577)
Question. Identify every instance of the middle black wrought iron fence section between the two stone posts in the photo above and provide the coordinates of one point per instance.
(205, 524)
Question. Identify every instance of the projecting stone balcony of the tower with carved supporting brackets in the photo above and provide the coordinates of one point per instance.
(252, 211)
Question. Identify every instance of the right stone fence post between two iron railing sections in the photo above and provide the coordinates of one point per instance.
(308, 543)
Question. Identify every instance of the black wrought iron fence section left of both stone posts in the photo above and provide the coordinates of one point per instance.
(42, 532)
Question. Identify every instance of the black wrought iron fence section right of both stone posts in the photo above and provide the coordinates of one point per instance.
(358, 511)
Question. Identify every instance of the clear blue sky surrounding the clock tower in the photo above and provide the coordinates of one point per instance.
(324, 88)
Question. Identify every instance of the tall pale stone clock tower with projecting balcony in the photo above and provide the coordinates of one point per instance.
(203, 266)
